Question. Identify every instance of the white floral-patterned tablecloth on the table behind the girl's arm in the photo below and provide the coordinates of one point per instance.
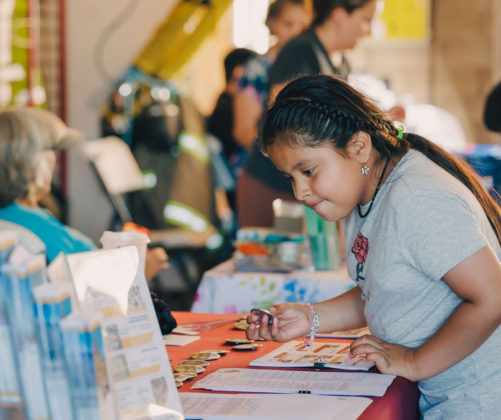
(224, 290)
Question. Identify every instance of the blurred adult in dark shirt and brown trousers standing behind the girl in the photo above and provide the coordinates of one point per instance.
(337, 26)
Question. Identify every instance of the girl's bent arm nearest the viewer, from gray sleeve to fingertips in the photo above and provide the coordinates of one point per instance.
(476, 280)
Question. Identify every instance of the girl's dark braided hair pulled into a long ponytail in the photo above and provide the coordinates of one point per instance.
(313, 110)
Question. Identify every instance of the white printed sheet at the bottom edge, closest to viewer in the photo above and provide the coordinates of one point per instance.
(271, 407)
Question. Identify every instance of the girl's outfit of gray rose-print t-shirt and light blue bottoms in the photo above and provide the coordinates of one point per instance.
(423, 223)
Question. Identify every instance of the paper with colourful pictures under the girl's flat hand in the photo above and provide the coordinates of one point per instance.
(328, 355)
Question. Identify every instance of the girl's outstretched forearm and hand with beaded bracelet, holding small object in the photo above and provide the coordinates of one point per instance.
(294, 320)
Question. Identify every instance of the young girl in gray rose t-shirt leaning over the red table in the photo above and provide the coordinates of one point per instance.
(423, 246)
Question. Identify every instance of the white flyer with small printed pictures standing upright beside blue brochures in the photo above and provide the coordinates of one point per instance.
(109, 281)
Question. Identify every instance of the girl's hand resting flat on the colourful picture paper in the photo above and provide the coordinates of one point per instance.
(392, 359)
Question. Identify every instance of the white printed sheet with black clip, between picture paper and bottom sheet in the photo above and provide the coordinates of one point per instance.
(296, 382)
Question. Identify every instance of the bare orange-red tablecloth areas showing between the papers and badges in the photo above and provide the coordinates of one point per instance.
(399, 402)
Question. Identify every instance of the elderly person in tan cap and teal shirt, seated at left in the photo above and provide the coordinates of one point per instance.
(29, 139)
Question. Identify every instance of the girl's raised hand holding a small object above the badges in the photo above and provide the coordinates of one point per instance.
(291, 320)
